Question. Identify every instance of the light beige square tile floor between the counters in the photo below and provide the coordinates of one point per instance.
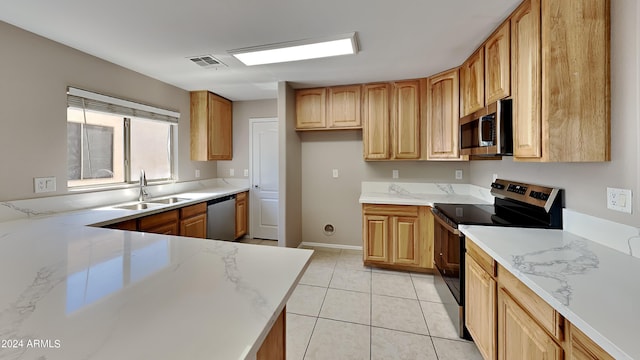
(342, 309)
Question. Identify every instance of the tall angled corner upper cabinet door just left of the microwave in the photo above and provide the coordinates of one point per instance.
(443, 117)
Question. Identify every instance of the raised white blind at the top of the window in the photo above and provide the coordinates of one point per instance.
(88, 100)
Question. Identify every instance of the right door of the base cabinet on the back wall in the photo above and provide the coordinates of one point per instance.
(406, 240)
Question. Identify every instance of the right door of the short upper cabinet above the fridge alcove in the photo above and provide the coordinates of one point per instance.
(344, 107)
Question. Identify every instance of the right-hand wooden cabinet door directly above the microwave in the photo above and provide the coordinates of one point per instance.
(497, 52)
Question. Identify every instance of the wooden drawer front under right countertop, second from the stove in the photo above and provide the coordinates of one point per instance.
(542, 312)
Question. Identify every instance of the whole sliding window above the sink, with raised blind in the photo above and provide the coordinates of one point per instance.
(109, 140)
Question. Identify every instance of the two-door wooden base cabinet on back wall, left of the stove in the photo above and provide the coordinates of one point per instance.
(397, 236)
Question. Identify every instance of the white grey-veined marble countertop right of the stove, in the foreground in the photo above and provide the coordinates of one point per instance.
(593, 286)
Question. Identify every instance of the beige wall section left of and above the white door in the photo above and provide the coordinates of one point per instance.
(243, 111)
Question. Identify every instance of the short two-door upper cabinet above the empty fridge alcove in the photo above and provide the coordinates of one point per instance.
(330, 108)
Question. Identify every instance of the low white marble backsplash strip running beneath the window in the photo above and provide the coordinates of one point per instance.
(40, 207)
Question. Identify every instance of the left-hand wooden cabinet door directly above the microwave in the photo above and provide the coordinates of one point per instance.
(472, 83)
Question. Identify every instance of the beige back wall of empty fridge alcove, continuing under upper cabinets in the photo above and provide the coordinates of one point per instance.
(328, 200)
